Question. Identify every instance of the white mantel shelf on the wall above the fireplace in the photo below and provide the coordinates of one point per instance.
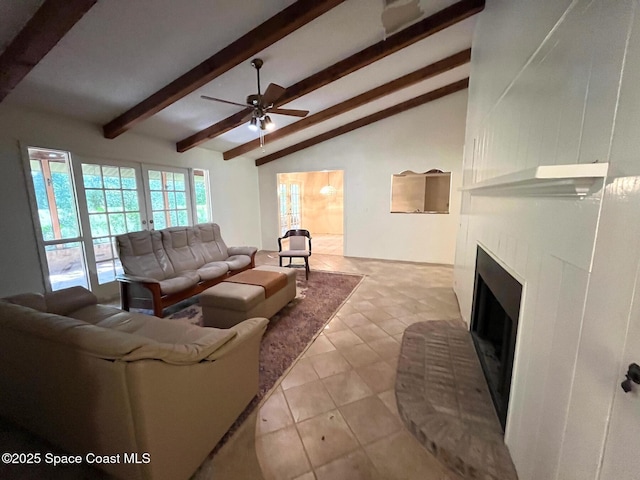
(577, 180)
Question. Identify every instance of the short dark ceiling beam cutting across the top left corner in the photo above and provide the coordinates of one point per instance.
(42, 32)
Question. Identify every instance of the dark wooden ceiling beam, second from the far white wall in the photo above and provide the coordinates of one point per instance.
(405, 81)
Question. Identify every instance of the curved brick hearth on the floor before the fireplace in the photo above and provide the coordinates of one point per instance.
(443, 399)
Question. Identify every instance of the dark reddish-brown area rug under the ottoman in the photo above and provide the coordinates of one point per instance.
(290, 330)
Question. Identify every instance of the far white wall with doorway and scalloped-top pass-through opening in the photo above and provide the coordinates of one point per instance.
(426, 137)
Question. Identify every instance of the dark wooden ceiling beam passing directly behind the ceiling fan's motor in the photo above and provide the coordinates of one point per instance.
(418, 31)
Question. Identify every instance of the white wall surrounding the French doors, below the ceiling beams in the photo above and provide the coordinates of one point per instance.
(233, 184)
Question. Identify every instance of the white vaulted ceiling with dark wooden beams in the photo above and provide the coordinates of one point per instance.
(142, 66)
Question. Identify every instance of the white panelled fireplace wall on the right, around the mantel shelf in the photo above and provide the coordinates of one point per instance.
(546, 95)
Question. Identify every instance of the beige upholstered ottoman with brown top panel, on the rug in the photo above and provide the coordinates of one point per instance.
(228, 303)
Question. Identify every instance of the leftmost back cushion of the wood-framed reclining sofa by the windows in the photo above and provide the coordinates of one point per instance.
(142, 254)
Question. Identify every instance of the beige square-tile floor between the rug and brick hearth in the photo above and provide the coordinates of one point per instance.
(334, 415)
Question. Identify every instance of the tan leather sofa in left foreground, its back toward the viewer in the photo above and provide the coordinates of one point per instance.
(93, 378)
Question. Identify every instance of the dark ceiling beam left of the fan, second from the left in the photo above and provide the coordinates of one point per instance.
(276, 28)
